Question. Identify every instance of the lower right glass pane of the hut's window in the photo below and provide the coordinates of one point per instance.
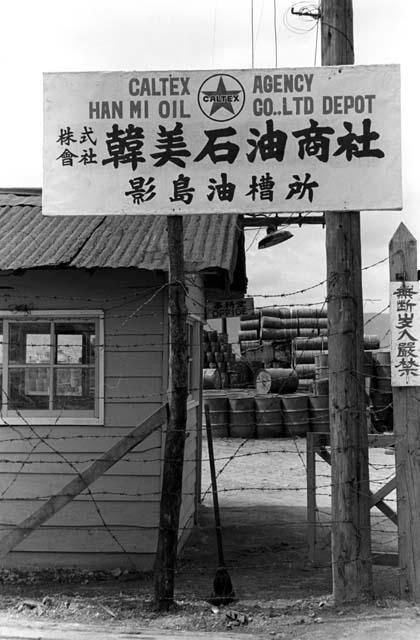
(74, 388)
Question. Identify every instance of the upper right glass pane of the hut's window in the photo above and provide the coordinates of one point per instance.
(75, 342)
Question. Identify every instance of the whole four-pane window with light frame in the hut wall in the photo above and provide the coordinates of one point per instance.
(52, 367)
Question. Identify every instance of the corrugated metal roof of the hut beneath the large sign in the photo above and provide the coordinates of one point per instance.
(28, 239)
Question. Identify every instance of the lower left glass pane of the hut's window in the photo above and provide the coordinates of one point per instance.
(29, 388)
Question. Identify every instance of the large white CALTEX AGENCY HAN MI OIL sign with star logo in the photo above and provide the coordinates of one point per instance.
(270, 140)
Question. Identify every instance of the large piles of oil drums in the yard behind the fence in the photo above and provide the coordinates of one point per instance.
(284, 357)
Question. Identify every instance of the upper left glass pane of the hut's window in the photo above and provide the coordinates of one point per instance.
(29, 342)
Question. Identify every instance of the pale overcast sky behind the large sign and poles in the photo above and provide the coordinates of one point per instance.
(91, 35)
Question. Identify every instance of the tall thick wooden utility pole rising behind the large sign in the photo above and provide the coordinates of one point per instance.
(351, 549)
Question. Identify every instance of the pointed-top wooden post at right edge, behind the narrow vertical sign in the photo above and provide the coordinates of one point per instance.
(406, 406)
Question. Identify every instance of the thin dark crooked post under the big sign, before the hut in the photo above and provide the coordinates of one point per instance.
(171, 494)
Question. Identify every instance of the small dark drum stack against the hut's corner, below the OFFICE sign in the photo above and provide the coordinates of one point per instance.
(218, 360)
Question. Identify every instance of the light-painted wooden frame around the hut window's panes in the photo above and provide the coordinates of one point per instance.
(55, 417)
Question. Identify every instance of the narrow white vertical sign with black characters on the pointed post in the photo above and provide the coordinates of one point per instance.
(405, 334)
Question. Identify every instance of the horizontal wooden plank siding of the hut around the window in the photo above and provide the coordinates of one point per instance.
(136, 379)
